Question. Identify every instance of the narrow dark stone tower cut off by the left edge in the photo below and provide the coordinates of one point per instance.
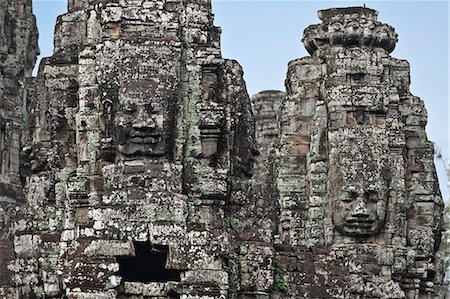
(18, 51)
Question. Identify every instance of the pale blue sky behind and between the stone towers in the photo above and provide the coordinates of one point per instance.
(265, 35)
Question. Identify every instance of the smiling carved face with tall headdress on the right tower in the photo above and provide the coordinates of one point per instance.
(358, 185)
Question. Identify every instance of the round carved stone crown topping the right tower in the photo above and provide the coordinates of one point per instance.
(349, 27)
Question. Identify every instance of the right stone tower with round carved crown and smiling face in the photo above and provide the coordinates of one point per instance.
(355, 174)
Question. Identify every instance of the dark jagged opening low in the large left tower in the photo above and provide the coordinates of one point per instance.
(149, 264)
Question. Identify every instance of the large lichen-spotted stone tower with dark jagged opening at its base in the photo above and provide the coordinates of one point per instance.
(137, 129)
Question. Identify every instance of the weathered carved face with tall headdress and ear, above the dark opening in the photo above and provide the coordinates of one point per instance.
(142, 105)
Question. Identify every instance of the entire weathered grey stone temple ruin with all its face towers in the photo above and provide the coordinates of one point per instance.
(135, 165)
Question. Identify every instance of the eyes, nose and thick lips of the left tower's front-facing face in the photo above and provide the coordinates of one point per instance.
(139, 130)
